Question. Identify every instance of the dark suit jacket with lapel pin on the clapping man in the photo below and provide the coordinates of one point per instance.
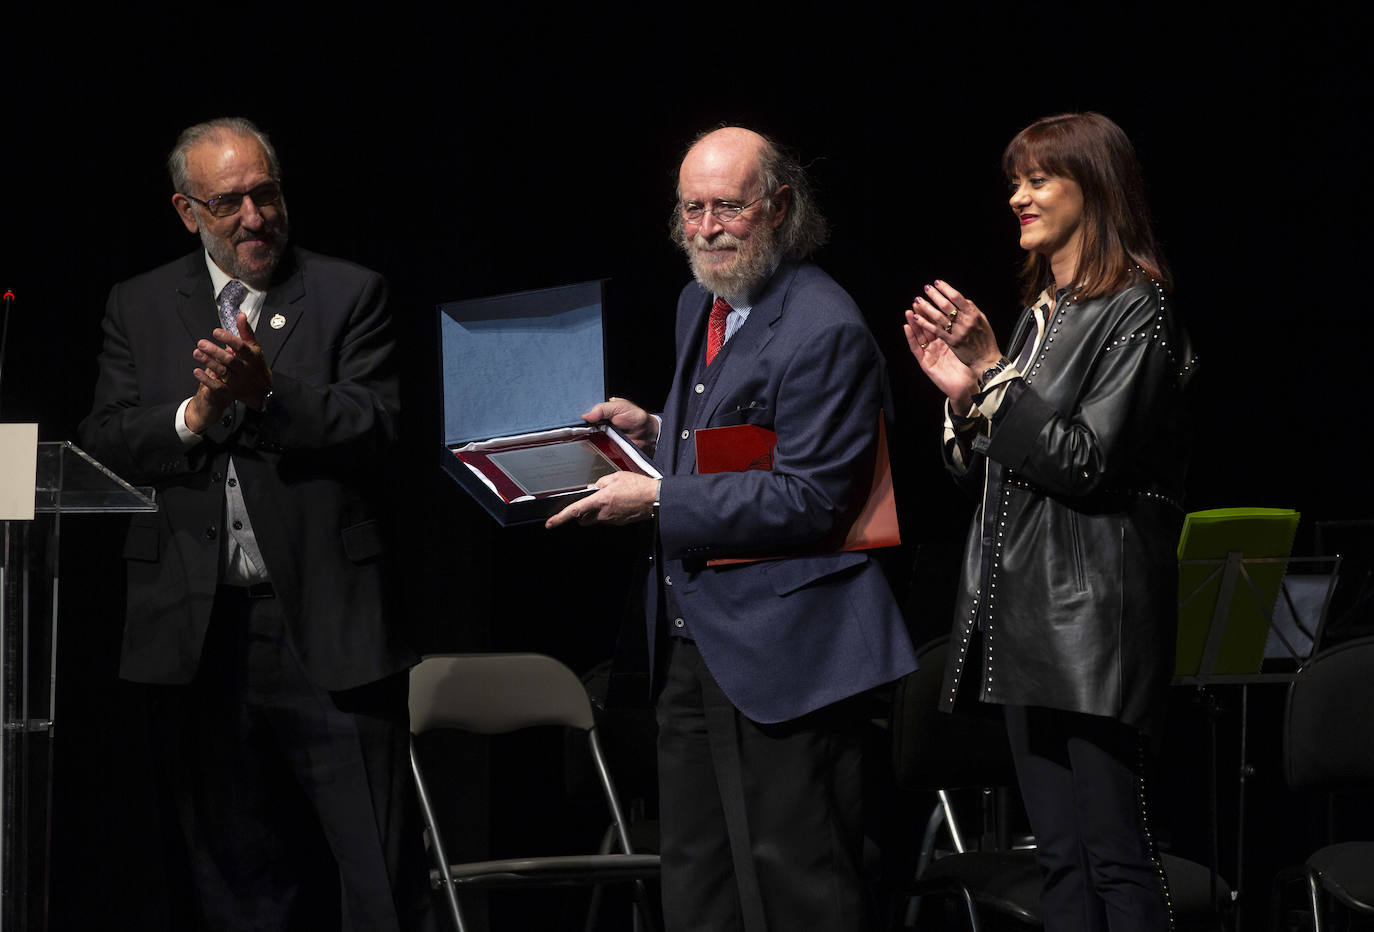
(308, 465)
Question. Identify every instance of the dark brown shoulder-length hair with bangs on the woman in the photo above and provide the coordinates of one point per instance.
(1116, 228)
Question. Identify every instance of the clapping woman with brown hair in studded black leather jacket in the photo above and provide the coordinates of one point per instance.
(1075, 442)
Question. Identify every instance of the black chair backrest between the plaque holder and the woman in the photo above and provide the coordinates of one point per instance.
(934, 750)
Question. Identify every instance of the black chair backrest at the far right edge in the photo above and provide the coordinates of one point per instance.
(1329, 722)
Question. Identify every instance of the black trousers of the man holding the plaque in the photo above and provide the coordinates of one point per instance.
(761, 824)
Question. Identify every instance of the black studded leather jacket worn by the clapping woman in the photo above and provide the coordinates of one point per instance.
(1070, 592)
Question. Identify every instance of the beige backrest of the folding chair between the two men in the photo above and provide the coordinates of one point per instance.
(497, 694)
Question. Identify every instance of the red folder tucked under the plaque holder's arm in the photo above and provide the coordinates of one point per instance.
(737, 449)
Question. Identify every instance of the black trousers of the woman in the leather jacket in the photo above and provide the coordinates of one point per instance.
(1083, 780)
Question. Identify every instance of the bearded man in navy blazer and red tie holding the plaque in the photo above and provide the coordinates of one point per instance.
(761, 667)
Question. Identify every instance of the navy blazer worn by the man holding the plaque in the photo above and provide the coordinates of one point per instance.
(781, 637)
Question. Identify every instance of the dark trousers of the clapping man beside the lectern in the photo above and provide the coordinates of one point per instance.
(295, 802)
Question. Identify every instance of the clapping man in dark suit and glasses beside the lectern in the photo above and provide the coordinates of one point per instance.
(255, 386)
